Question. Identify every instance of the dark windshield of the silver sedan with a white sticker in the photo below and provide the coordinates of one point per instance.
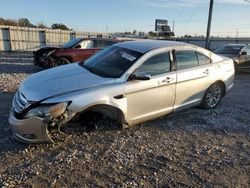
(111, 62)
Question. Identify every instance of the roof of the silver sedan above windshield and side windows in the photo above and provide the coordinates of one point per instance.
(144, 46)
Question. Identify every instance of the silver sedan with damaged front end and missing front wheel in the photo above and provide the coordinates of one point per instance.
(129, 82)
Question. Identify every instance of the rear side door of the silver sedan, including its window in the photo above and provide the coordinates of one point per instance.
(194, 76)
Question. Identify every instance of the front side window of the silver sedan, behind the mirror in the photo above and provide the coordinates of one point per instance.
(156, 65)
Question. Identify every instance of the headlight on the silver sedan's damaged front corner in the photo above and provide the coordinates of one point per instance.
(47, 110)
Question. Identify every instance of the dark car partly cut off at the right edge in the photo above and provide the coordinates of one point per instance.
(240, 53)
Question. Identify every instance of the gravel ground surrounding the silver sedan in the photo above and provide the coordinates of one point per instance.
(193, 148)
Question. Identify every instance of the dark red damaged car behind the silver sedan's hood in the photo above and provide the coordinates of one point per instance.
(78, 49)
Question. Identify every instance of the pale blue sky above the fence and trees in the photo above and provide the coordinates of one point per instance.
(230, 17)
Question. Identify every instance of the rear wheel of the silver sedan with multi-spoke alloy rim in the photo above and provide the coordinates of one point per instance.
(212, 96)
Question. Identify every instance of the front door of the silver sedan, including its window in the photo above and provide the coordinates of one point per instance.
(154, 97)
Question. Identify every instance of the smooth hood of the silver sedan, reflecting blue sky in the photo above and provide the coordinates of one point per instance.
(60, 80)
